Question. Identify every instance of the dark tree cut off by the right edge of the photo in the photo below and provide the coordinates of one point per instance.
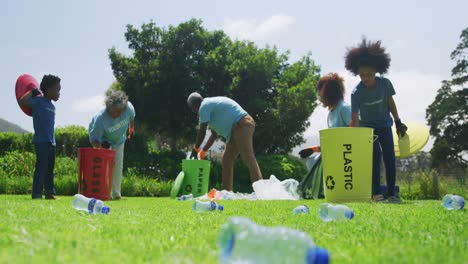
(448, 114)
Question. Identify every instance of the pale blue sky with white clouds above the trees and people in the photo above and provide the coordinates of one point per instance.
(71, 39)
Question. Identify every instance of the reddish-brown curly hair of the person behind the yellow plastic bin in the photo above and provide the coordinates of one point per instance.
(333, 89)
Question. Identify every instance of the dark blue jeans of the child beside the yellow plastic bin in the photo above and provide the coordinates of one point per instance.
(383, 145)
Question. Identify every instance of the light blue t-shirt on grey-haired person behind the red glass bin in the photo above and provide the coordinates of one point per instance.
(104, 128)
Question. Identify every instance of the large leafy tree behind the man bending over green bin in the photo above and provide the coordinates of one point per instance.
(168, 64)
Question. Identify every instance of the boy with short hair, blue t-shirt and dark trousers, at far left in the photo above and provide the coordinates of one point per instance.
(43, 113)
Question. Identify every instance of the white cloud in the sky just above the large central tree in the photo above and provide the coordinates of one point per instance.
(250, 28)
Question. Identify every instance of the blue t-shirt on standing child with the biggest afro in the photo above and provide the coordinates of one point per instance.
(372, 104)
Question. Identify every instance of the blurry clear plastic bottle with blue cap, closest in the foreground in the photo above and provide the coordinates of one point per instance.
(242, 241)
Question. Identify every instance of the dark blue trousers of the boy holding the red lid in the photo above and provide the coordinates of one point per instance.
(44, 171)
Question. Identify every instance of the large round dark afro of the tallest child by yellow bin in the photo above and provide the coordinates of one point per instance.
(370, 54)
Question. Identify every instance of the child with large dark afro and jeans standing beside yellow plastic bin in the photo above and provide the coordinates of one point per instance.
(371, 105)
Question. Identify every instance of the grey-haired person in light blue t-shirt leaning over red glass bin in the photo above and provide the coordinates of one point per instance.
(108, 128)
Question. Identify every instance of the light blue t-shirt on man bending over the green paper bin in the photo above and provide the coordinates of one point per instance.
(221, 113)
